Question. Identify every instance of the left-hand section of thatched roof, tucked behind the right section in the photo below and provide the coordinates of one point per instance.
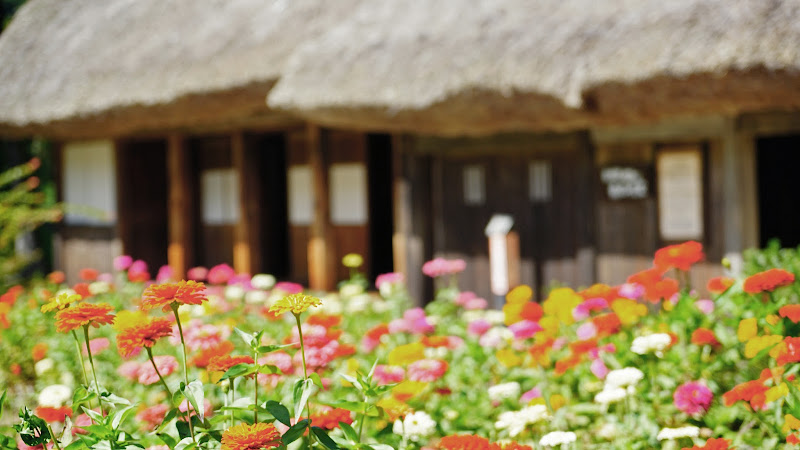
(76, 67)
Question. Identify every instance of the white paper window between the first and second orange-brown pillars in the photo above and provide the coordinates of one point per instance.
(220, 196)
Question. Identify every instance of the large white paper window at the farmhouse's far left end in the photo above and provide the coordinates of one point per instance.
(90, 182)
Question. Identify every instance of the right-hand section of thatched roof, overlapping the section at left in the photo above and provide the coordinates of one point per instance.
(452, 66)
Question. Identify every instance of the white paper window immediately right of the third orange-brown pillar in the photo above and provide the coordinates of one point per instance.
(348, 194)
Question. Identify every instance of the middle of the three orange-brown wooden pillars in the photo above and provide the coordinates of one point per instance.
(245, 233)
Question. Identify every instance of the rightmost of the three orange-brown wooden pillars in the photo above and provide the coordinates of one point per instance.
(321, 248)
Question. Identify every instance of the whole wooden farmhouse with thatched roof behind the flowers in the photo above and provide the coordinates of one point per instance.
(280, 135)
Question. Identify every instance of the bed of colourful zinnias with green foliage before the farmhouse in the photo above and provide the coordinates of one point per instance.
(233, 362)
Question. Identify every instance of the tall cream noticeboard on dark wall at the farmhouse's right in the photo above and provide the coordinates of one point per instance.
(680, 194)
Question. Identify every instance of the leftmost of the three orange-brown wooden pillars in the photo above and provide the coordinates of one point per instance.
(180, 253)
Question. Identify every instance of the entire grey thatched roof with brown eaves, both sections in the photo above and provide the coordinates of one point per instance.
(83, 67)
